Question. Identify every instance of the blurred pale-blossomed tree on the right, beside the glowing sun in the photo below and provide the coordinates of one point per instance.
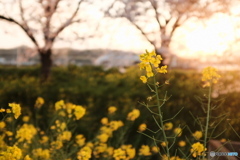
(158, 20)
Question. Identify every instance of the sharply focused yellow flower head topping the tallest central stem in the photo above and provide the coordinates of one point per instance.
(150, 63)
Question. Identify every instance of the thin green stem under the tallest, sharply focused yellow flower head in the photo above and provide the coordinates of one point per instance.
(161, 117)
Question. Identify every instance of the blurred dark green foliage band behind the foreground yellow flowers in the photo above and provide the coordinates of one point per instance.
(97, 89)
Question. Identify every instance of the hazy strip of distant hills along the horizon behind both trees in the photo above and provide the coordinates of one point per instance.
(110, 58)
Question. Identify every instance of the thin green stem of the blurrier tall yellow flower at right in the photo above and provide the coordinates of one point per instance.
(208, 118)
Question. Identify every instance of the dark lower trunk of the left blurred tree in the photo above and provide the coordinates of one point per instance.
(46, 64)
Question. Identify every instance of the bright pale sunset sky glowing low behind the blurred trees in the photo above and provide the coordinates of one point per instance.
(195, 38)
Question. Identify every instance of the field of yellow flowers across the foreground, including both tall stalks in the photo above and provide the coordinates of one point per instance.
(122, 133)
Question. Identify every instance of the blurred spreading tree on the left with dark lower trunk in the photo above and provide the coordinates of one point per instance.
(37, 19)
